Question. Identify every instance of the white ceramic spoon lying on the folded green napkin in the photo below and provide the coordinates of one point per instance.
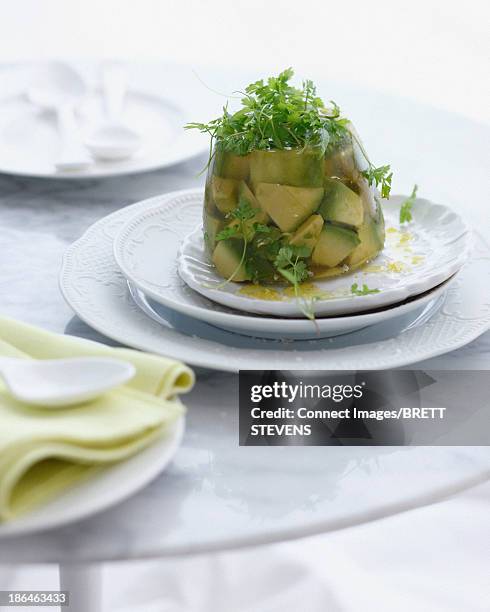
(63, 382)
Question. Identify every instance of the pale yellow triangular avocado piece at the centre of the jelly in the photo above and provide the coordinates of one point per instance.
(288, 206)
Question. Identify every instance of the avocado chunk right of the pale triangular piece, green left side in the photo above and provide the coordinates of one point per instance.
(340, 204)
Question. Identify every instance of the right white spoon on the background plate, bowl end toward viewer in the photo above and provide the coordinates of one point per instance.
(113, 140)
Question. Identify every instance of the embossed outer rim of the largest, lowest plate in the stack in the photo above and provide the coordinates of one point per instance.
(134, 329)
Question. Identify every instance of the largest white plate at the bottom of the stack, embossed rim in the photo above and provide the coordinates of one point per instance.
(93, 285)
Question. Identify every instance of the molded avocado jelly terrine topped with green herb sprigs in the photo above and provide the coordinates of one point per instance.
(290, 192)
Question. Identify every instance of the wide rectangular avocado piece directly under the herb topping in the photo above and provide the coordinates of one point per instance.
(296, 167)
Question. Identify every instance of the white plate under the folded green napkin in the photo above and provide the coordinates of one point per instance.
(111, 486)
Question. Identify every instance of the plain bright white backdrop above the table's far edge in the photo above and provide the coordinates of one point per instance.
(435, 51)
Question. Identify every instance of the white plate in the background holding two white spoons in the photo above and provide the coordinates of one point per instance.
(29, 140)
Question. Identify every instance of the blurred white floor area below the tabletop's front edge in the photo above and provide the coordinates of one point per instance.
(432, 559)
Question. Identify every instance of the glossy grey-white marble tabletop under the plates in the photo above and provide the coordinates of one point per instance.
(217, 495)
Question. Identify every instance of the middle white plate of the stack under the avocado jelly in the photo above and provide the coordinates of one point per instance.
(154, 236)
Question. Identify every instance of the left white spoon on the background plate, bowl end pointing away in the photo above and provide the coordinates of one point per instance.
(59, 88)
